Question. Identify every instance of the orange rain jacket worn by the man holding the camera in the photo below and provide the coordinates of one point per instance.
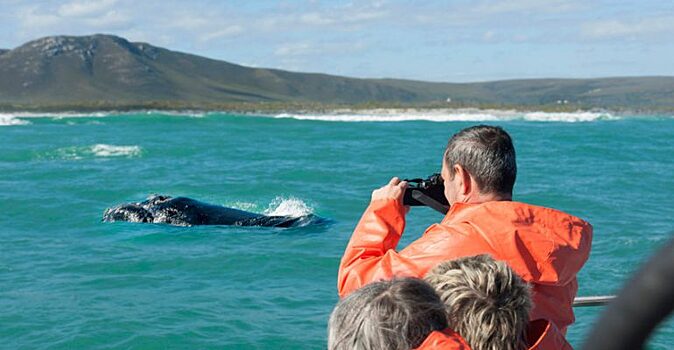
(546, 247)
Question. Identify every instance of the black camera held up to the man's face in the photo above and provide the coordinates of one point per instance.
(427, 192)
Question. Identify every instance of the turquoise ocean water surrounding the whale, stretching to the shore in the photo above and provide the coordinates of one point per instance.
(69, 281)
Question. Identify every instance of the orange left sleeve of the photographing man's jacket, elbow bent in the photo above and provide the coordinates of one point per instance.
(370, 255)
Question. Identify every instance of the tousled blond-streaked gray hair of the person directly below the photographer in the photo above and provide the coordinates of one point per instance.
(486, 301)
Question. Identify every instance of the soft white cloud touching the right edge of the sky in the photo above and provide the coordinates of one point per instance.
(613, 29)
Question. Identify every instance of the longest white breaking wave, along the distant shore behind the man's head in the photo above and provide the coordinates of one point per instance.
(452, 116)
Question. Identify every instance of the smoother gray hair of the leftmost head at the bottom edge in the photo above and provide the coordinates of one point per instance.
(397, 314)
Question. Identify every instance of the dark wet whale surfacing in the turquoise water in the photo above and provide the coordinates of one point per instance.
(184, 211)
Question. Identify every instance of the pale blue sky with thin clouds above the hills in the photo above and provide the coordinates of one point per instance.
(449, 41)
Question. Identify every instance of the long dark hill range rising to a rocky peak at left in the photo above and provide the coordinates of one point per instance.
(108, 70)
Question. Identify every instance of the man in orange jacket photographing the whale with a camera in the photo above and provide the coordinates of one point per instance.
(546, 247)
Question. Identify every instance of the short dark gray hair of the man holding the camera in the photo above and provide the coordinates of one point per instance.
(488, 154)
